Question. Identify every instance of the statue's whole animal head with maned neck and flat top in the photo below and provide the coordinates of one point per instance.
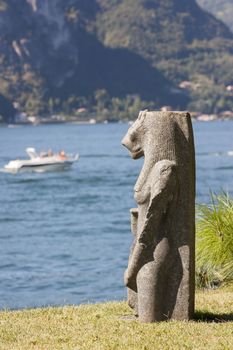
(160, 135)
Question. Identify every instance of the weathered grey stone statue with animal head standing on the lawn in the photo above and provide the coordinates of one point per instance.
(160, 273)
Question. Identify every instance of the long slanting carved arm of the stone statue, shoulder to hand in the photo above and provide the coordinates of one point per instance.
(161, 193)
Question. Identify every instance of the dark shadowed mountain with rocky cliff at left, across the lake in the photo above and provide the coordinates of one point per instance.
(47, 53)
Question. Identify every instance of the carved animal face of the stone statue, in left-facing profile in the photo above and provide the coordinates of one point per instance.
(133, 139)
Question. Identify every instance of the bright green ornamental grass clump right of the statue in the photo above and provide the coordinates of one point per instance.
(214, 242)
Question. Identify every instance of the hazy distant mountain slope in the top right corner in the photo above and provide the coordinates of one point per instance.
(222, 9)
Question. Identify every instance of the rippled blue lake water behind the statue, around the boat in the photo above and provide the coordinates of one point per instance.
(65, 237)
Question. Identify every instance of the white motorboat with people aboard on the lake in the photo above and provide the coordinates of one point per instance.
(44, 162)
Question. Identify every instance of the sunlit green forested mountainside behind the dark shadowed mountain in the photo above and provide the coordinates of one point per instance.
(179, 39)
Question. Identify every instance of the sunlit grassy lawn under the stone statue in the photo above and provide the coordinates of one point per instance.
(102, 326)
